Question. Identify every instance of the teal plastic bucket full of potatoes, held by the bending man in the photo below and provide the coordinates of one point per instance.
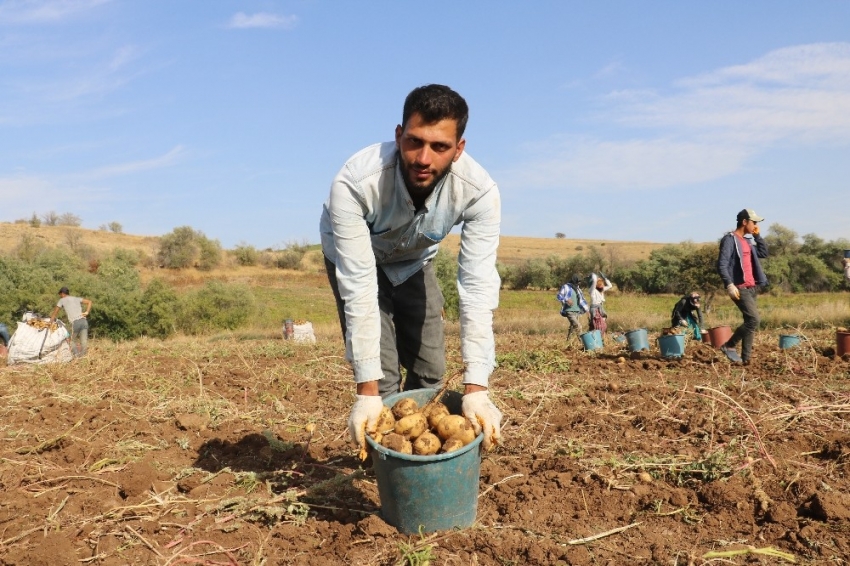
(428, 493)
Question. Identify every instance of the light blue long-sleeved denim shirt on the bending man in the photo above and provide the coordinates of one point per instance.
(370, 221)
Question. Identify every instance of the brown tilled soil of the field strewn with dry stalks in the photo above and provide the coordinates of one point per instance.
(197, 452)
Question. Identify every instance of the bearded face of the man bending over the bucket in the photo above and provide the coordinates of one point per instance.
(427, 151)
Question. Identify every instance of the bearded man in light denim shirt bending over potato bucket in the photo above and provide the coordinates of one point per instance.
(389, 207)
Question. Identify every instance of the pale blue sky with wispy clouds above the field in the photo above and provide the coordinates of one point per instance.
(652, 121)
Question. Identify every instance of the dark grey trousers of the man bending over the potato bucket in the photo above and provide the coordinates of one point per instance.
(411, 329)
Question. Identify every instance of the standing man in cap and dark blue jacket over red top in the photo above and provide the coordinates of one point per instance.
(740, 269)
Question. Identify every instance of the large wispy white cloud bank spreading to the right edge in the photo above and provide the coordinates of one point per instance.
(707, 126)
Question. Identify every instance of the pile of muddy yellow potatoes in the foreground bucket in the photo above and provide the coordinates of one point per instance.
(410, 430)
